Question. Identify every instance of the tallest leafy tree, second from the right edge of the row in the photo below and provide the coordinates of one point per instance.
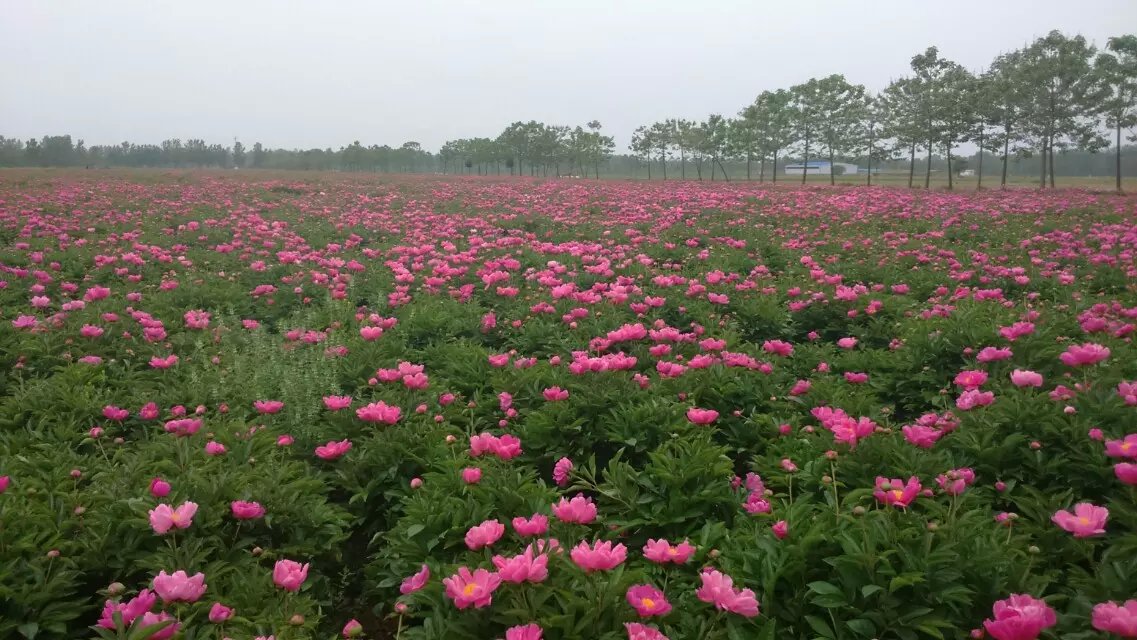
(1063, 97)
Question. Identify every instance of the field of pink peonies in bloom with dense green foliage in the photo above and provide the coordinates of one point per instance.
(455, 408)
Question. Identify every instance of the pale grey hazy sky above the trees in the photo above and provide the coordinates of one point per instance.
(326, 73)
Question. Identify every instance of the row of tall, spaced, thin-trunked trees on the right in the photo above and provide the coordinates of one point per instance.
(1057, 95)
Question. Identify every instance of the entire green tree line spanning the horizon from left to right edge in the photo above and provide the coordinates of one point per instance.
(1055, 101)
